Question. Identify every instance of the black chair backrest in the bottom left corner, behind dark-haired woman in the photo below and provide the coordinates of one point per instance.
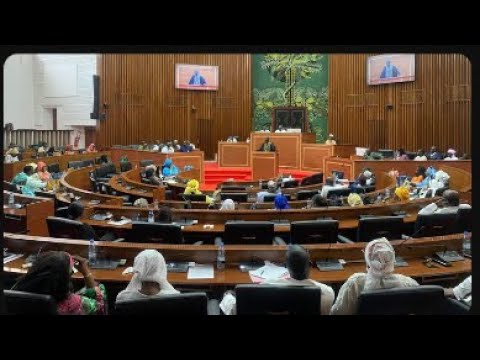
(25, 303)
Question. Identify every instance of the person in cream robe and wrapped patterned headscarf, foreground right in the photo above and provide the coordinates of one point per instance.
(380, 259)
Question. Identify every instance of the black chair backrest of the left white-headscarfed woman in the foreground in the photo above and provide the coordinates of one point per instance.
(167, 305)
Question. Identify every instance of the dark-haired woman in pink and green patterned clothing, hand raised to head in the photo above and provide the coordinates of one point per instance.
(51, 273)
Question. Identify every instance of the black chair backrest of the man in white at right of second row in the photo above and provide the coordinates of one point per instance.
(436, 225)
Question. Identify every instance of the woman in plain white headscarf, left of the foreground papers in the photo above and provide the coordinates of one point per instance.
(149, 278)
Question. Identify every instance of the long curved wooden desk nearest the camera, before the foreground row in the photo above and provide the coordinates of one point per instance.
(412, 251)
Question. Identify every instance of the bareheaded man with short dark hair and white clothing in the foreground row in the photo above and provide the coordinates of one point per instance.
(298, 265)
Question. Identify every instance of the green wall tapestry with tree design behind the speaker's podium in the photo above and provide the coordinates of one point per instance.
(291, 80)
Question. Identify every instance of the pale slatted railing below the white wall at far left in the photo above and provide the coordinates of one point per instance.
(25, 138)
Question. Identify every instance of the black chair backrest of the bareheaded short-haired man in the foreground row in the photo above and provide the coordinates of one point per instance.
(277, 300)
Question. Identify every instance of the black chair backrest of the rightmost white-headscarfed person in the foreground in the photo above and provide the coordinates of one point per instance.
(419, 300)
